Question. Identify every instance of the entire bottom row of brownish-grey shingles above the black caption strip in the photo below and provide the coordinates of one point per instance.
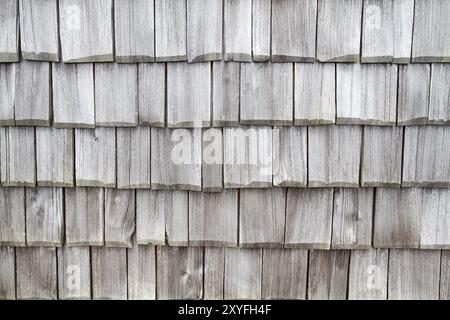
(144, 272)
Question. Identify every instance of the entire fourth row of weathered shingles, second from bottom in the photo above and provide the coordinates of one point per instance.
(292, 218)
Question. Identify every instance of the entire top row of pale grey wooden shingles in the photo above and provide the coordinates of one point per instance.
(163, 30)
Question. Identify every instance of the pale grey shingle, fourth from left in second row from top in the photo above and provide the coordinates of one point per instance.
(116, 95)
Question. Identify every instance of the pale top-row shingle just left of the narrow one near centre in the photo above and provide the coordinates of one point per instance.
(237, 30)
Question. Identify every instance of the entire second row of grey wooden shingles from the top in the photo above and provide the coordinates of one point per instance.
(224, 94)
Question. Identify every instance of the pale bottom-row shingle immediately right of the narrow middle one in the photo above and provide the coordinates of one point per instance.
(243, 270)
